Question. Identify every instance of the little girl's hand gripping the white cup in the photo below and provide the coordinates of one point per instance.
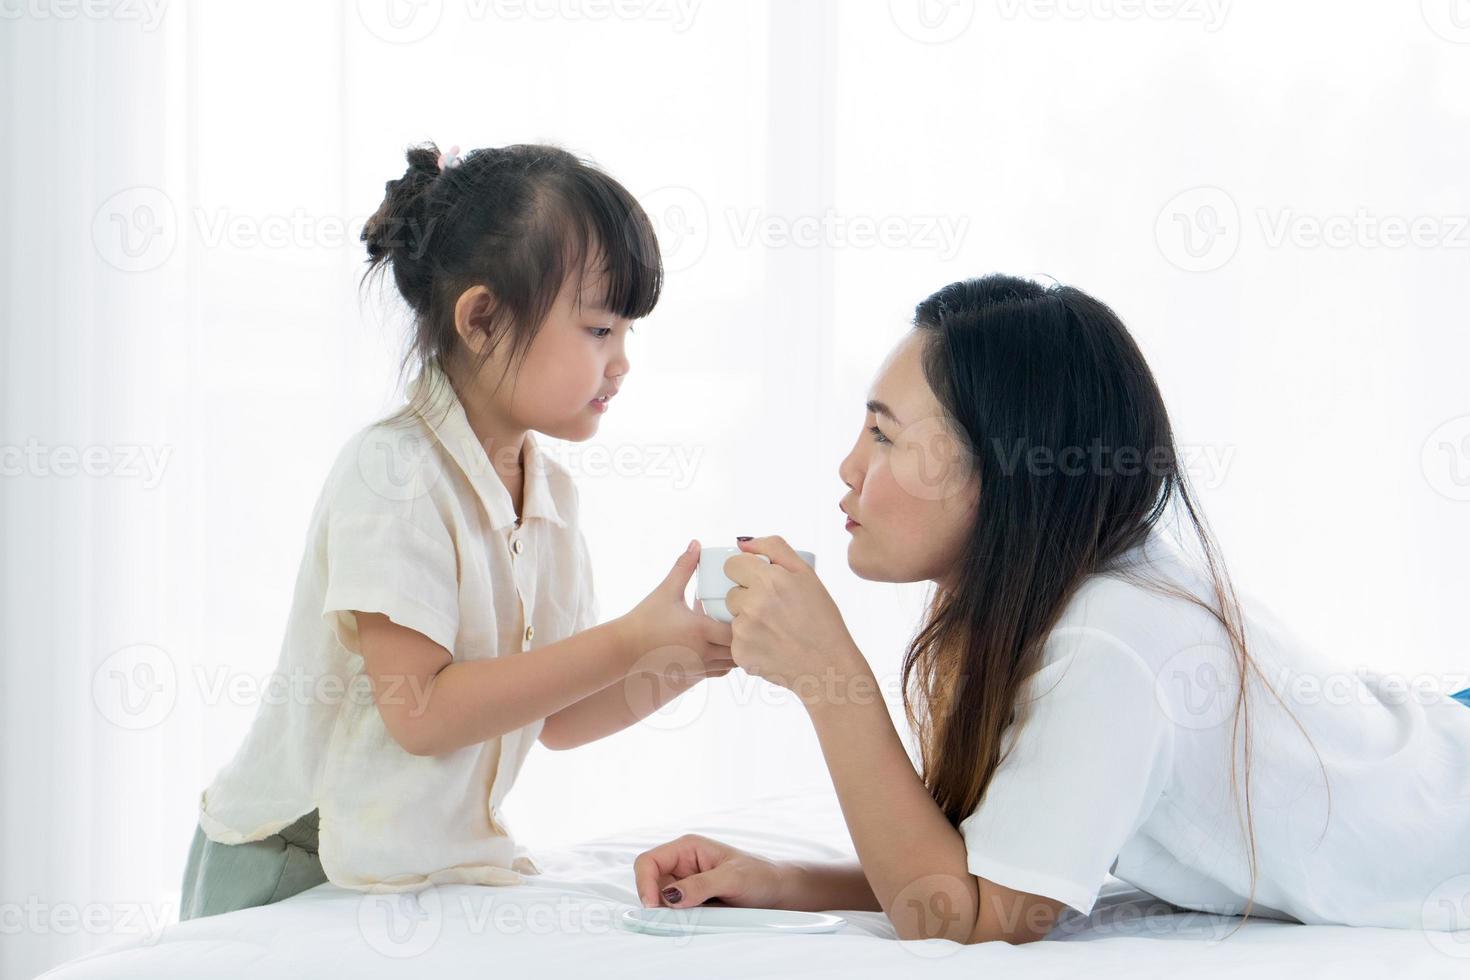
(668, 634)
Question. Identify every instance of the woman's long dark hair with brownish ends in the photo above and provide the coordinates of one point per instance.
(1018, 368)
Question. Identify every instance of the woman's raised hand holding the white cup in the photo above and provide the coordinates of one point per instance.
(787, 628)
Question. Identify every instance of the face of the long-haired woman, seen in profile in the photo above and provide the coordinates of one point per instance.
(915, 494)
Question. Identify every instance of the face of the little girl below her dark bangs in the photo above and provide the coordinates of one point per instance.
(573, 370)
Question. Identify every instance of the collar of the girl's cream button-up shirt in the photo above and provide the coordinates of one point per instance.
(445, 415)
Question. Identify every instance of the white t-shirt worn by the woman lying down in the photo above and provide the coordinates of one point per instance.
(1121, 763)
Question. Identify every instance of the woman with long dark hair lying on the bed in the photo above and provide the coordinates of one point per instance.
(1087, 697)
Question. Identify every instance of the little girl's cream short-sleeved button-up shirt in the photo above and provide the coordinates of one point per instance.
(412, 524)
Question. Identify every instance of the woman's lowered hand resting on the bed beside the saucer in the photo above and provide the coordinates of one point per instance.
(695, 871)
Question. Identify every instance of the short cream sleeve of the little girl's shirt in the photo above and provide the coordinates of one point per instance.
(384, 563)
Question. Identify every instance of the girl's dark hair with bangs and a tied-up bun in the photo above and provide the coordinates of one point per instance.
(520, 221)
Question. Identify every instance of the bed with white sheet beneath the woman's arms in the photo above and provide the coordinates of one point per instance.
(565, 926)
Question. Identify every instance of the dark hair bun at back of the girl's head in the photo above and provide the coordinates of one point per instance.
(399, 231)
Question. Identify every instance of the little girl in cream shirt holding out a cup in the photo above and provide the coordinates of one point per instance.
(445, 616)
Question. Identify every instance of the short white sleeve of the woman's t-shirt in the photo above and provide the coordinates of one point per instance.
(1083, 775)
